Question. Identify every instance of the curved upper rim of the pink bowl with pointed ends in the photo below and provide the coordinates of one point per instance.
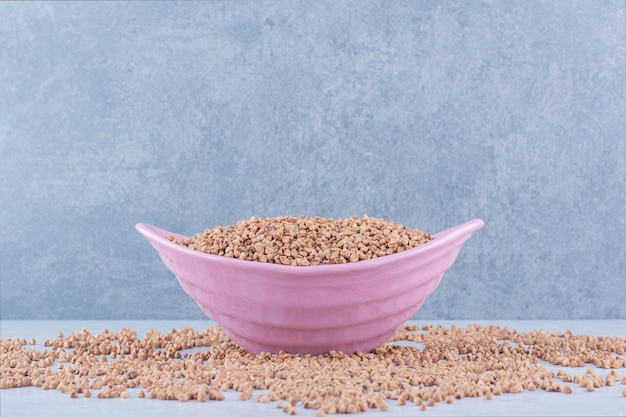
(157, 237)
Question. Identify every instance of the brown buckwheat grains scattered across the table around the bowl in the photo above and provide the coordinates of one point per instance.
(449, 365)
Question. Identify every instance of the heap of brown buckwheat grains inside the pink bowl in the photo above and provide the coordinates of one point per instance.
(306, 240)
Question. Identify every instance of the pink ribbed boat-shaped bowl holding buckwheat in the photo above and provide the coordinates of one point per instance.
(266, 307)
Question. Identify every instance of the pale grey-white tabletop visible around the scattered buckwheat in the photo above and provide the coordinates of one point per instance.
(32, 401)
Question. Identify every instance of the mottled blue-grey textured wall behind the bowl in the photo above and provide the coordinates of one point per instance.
(188, 115)
